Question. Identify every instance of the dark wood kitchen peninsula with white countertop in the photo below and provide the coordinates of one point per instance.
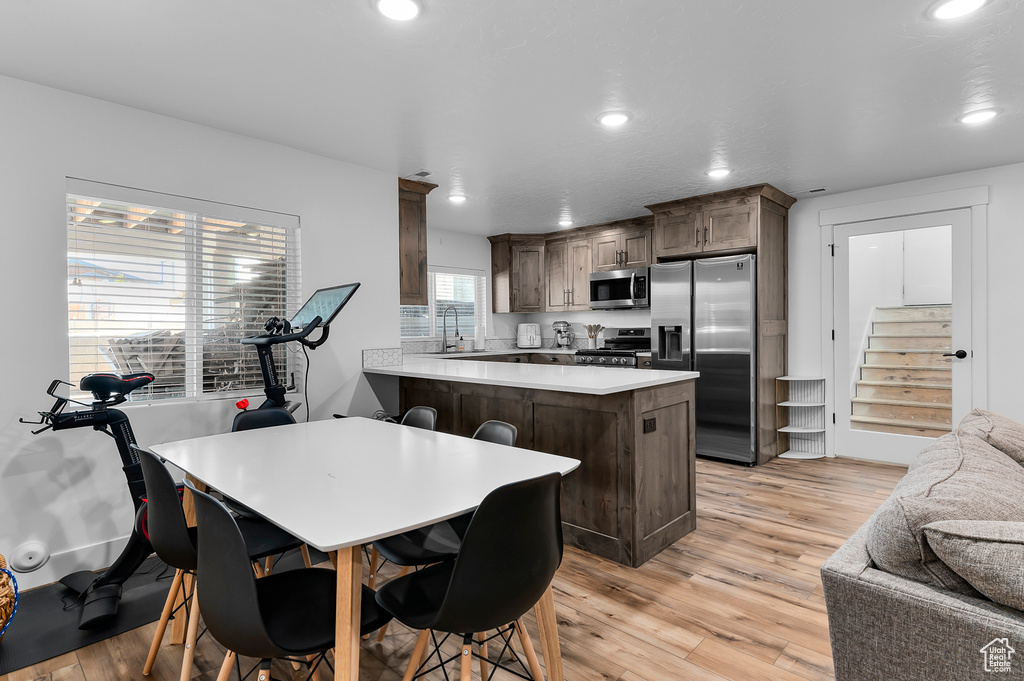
(634, 494)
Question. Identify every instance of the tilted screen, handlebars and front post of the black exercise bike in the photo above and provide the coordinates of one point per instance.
(319, 312)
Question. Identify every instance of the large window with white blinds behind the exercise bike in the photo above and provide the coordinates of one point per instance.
(170, 286)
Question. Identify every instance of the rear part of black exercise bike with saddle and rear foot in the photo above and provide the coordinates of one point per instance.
(102, 594)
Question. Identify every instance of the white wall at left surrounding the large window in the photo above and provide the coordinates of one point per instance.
(67, 489)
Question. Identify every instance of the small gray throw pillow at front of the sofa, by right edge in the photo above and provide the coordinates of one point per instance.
(990, 555)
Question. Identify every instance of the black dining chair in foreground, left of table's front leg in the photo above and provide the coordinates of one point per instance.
(288, 615)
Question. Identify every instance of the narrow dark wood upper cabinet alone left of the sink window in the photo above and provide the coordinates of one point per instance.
(413, 242)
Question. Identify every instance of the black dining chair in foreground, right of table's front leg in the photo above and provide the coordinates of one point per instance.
(507, 561)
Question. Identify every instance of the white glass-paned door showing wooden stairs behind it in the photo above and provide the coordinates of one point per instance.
(900, 382)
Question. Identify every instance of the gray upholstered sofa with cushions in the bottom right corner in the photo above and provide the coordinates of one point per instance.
(932, 586)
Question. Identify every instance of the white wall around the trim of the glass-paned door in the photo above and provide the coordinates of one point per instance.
(1006, 244)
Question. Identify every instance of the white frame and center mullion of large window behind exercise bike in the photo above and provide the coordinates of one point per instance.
(193, 386)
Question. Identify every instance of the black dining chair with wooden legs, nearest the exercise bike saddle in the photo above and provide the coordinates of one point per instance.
(175, 543)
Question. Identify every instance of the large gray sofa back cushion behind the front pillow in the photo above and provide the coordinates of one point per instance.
(957, 478)
